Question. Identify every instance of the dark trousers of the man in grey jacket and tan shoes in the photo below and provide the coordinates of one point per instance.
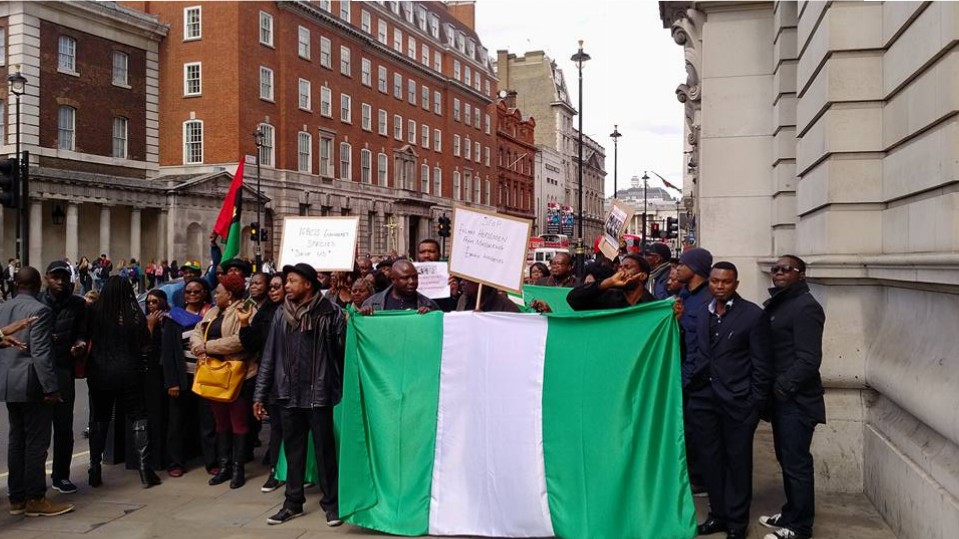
(30, 426)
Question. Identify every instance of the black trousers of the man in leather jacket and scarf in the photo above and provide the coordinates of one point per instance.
(297, 423)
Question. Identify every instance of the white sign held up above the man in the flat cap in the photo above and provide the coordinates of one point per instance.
(326, 243)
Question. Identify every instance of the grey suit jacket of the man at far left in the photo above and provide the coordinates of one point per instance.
(27, 375)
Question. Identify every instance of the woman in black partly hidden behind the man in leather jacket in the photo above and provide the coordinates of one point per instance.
(253, 334)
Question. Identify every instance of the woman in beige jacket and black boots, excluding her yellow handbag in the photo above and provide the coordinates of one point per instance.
(218, 337)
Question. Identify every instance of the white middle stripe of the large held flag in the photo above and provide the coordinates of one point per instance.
(490, 418)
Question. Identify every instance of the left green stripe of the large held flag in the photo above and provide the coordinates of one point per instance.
(388, 432)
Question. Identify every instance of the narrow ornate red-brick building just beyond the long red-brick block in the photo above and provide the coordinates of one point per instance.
(515, 159)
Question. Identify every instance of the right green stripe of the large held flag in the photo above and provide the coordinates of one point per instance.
(613, 425)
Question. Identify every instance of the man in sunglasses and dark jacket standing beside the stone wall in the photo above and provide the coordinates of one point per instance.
(796, 323)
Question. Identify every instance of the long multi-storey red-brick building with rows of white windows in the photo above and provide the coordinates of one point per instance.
(373, 109)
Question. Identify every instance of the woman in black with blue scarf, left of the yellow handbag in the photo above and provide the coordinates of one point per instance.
(188, 415)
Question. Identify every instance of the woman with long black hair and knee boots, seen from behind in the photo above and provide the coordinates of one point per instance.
(120, 347)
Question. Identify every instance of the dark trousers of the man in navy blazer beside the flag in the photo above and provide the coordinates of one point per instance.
(725, 448)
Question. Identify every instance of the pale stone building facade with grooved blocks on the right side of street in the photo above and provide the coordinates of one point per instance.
(829, 129)
